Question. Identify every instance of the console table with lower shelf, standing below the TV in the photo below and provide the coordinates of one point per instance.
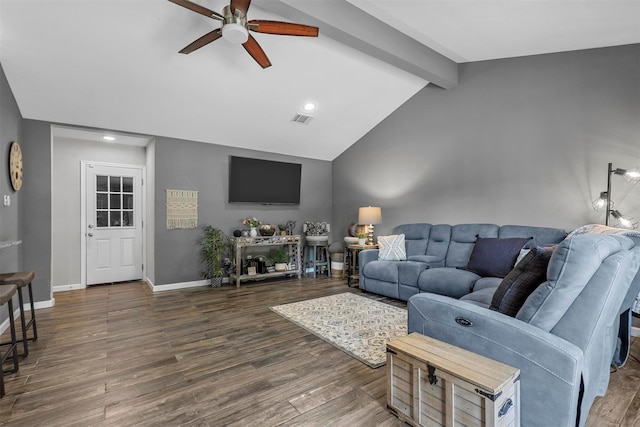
(292, 242)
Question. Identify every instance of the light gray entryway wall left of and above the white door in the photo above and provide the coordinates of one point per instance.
(66, 209)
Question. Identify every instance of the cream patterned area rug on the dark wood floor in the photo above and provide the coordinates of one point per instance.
(357, 325)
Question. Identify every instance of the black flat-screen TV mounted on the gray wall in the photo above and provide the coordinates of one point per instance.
(264, 181)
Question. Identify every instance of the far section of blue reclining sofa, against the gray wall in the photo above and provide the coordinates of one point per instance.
(437, 256)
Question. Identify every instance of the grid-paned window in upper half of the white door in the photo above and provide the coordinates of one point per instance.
(114, 201)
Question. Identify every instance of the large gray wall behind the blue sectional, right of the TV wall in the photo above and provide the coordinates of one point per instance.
(519, 141)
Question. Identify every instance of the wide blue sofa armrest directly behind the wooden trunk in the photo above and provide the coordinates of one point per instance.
(550, 367)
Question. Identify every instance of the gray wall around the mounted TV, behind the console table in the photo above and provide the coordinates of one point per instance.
(205, 167)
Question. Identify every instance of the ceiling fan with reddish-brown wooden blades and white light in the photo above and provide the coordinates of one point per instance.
(235, 28)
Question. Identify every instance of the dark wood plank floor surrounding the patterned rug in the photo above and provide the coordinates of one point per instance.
(120, 355)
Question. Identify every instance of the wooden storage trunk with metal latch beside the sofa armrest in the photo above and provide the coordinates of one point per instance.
(431, 383)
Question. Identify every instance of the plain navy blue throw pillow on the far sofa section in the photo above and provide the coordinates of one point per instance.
(492, 257)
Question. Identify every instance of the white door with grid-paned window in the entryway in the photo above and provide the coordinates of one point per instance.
(114, 224)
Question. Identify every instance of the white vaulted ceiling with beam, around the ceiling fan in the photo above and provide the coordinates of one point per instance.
(114, 64)
